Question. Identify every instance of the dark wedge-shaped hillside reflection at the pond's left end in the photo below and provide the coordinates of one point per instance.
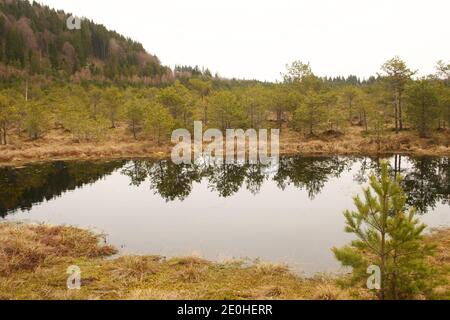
(21, 188)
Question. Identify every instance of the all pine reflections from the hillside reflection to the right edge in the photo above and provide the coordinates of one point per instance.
(426, 180)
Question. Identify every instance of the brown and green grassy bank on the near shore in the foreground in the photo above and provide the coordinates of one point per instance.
(34, 260)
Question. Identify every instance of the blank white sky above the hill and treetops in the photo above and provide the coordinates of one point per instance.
(254, 39)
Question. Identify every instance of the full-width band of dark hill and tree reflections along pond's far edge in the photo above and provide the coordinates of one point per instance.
(426, 180)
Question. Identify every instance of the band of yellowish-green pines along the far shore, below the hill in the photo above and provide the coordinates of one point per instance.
(303, 102)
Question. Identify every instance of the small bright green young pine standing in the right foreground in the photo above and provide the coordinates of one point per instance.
(390, 237)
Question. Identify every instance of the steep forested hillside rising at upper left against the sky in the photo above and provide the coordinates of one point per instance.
(36, 40)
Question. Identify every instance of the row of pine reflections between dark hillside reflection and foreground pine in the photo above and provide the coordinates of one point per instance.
(175, 181)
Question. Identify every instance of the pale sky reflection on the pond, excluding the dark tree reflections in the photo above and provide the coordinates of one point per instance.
(275, 225)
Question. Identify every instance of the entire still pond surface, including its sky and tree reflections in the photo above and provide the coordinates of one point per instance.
(292, 216)
